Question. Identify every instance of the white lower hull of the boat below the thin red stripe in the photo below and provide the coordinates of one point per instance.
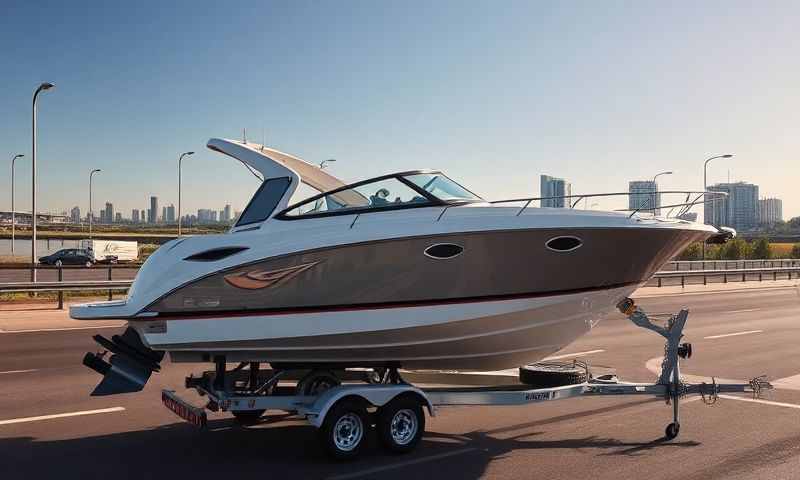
(468, 336)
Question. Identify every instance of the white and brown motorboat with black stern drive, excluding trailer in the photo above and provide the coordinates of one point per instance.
(407, 270)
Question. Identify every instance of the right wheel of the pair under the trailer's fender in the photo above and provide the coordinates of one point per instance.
(401, 424)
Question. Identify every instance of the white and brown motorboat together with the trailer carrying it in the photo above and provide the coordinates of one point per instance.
(409, 270)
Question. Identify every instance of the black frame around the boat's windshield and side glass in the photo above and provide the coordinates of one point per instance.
(433, 200)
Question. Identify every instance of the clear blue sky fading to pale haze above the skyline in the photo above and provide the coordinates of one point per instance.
(493, 93)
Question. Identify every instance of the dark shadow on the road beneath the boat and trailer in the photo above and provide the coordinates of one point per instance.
(284, 445)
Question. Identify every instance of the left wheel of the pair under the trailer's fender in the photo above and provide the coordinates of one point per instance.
(344, 430)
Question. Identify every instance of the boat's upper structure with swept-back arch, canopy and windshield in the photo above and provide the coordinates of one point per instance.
(282, 174)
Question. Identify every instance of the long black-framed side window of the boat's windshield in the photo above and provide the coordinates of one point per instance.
(380, 194)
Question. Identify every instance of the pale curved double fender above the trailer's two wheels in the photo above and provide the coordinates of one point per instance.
(375, 395)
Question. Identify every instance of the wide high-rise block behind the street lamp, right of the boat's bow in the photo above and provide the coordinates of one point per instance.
(739, 209)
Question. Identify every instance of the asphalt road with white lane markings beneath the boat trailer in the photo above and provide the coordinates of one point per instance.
(591, 438)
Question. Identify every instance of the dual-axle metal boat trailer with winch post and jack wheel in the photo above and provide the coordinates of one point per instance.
(343, 412)
